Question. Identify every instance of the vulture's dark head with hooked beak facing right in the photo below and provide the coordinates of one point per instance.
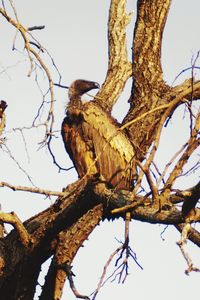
(81, 86)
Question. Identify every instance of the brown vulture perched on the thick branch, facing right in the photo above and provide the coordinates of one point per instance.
(94, 142)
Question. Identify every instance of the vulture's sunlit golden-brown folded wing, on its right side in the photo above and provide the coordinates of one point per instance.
(113, 151)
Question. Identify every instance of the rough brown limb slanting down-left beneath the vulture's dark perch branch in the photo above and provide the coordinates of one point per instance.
(69, 242)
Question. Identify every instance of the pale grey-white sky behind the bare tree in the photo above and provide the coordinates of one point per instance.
(75, 35)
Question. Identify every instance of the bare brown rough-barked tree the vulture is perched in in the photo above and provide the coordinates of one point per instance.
(62, 228)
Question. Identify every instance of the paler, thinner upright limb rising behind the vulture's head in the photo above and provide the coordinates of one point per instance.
(119, 68)
